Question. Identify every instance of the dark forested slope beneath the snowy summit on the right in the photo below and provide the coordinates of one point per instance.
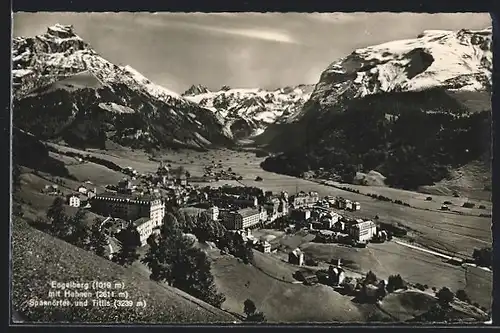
(411, 148)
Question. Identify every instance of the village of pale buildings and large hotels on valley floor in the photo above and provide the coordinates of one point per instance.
(141, 200)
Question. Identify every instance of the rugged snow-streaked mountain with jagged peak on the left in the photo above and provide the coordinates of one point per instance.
(64, 89)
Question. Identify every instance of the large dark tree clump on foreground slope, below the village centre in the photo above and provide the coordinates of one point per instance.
(172, 258)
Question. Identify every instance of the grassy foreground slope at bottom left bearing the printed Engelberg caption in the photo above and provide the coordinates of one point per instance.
(39, 259)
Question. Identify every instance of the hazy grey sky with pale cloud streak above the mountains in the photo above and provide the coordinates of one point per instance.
(241, 50)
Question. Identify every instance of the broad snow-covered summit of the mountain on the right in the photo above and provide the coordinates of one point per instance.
(454, 60)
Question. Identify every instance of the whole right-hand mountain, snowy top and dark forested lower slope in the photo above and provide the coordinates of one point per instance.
(425, 100)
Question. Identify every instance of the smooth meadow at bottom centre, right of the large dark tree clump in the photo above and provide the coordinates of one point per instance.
(280, 301)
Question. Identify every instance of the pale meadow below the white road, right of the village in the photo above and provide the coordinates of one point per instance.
(391, 258)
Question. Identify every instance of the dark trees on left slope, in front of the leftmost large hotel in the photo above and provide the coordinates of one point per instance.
(73, 229)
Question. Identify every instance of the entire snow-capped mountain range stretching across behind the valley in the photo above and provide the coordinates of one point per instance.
(65, 91)
